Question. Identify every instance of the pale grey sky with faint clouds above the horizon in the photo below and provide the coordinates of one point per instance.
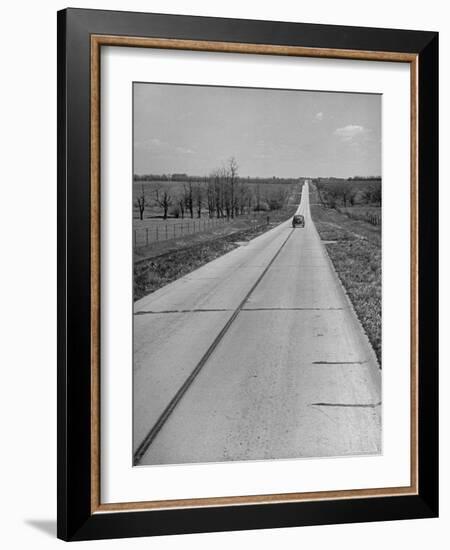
(283, 133)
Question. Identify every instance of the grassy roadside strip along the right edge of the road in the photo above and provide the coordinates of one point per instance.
(354, 247)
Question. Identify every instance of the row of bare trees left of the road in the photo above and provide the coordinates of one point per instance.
(222, 195)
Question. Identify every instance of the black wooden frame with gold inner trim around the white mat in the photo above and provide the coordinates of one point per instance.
(81, 33)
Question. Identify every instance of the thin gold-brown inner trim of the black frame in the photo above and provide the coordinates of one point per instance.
(97, 41)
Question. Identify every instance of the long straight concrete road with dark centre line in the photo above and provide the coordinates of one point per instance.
(255, 355)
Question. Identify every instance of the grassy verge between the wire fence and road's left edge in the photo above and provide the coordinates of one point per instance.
(174, 259)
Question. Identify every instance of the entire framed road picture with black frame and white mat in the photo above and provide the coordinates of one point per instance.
(247, 252)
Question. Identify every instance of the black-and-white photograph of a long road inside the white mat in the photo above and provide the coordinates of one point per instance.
(257, 274)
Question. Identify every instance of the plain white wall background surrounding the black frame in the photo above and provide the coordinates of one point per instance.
(28, 271)
